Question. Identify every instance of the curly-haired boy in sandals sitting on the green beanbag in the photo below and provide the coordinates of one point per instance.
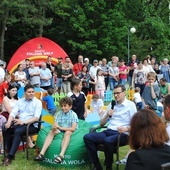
(65, 122)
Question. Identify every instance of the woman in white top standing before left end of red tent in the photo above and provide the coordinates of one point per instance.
(20, 76)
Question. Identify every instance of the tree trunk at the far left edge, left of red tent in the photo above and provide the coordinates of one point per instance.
(2, 37)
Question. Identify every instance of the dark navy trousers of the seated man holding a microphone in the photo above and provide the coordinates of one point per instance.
(109, 139)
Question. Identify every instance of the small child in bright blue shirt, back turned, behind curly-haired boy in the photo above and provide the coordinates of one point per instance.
(50, 101)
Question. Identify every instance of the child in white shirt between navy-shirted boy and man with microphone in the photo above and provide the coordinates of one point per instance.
(97, 104)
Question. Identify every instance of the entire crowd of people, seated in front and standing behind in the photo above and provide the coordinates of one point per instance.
(149, 79)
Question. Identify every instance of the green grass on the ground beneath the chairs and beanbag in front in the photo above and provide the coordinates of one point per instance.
(20, 162)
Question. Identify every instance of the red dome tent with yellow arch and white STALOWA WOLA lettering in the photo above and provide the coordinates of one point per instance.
(37, 49)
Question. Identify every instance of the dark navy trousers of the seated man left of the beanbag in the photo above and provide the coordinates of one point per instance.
(12, 143)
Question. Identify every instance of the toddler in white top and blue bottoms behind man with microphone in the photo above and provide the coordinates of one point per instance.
(138, 99)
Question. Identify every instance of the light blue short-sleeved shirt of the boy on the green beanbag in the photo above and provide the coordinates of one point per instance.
(66, 119)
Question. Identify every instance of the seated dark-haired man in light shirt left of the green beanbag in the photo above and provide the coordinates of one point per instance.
(26, 110)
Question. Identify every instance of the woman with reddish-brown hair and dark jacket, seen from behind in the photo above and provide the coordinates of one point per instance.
(147, 137)
